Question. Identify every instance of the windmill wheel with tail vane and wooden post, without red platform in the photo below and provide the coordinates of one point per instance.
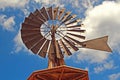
(54, 32)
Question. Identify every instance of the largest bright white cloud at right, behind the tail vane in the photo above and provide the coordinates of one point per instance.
(102, 20)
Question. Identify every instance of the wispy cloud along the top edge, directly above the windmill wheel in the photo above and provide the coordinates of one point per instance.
(80, 4)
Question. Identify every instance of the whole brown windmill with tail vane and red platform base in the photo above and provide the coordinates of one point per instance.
(55, 32)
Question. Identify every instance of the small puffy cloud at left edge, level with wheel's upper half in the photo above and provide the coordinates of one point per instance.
(7, 23)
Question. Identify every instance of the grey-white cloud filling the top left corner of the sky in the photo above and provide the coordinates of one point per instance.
(13, 3)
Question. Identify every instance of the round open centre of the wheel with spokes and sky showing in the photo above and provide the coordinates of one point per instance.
(53, 25)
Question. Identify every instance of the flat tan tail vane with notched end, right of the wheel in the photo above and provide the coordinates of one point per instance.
(98, 44)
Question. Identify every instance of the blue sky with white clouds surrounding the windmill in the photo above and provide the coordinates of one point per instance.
(100, 17)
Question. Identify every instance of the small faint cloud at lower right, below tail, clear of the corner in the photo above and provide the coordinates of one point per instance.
(106, 66)
